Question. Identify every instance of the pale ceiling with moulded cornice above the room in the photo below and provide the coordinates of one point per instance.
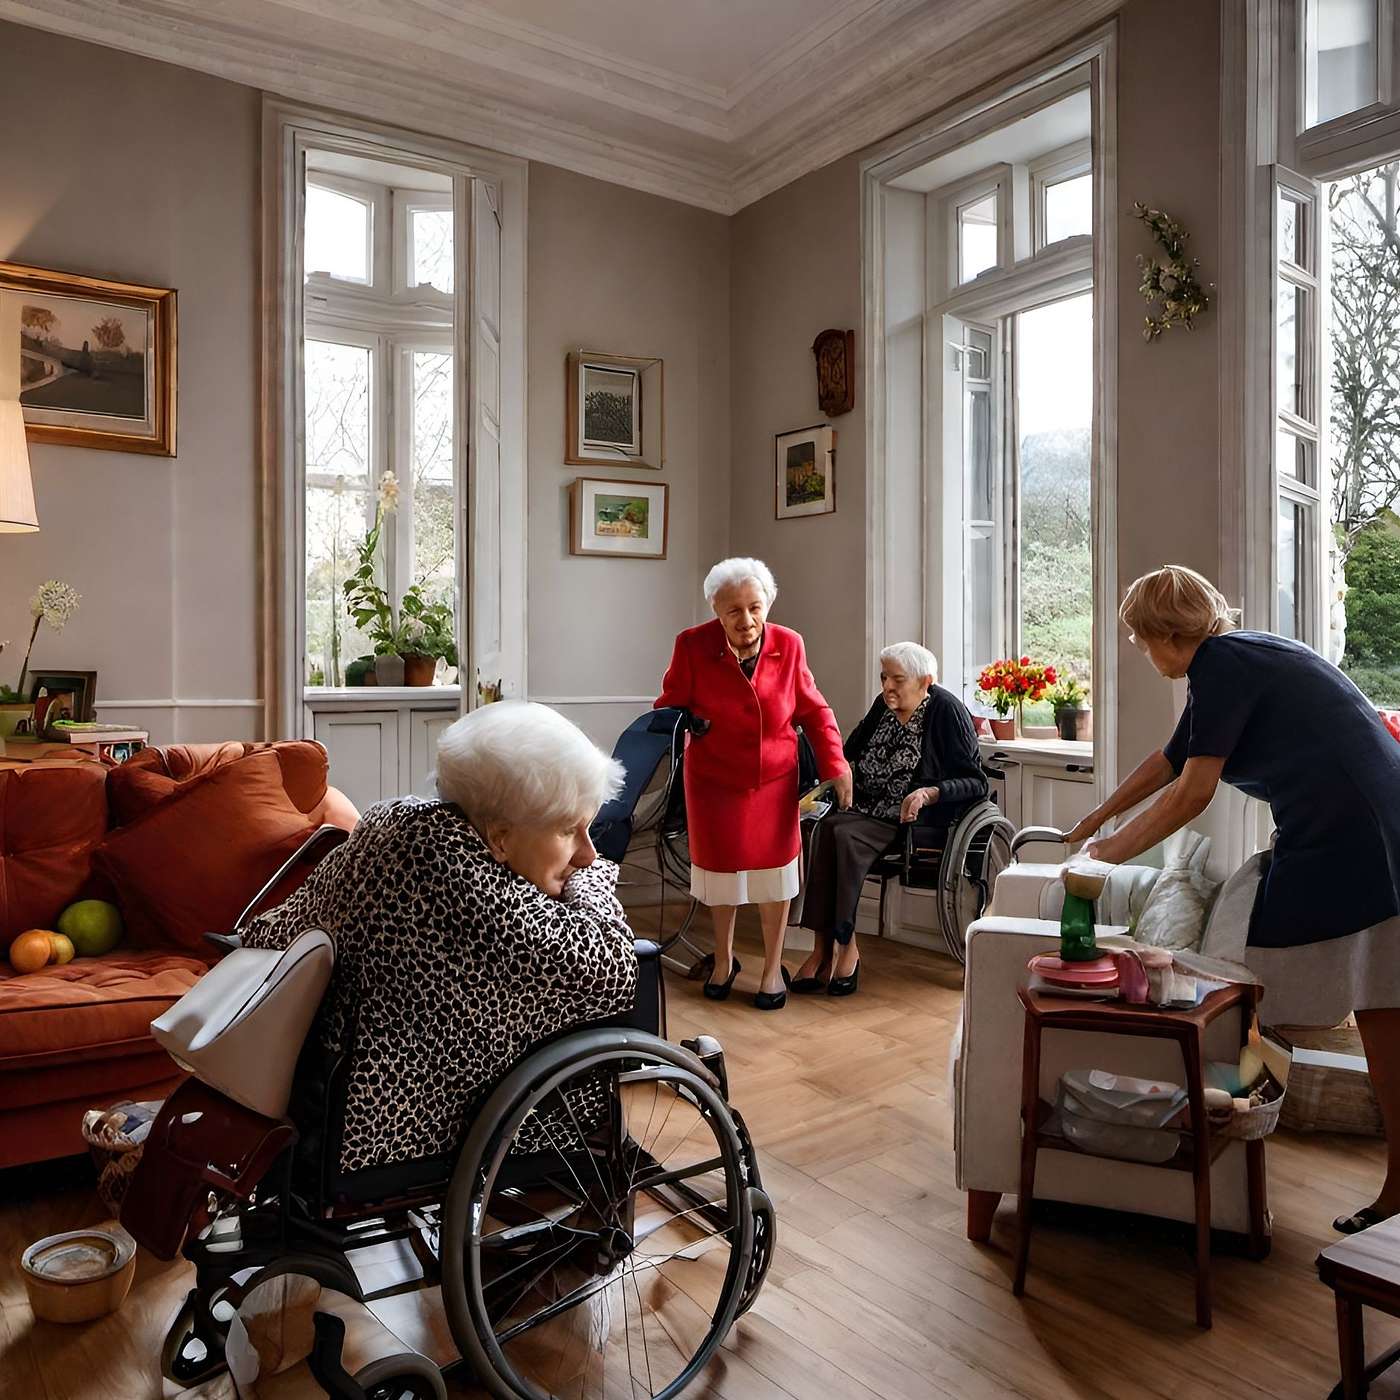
(715, 103)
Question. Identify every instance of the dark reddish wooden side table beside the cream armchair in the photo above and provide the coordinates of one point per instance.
(1199, 1147)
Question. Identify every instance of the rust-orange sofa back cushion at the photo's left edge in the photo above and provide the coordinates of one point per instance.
(51, 822)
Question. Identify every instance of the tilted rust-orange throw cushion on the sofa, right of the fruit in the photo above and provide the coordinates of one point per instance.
(192, 863)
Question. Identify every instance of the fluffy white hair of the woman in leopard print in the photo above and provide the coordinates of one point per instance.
(523, 765)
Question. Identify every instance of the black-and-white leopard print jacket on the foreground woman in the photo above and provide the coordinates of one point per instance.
(449, 968)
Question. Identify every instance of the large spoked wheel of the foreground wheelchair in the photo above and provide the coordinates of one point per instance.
(600, 1230)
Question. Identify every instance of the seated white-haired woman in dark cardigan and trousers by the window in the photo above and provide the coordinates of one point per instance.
(918, 769)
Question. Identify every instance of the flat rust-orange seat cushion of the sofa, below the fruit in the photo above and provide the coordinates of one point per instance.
(89, 1009)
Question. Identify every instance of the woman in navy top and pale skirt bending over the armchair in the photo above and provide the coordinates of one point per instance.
(1275, 720)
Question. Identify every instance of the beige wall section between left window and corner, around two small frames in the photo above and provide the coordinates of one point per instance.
(617, 271)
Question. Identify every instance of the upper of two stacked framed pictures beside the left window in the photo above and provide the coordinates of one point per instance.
(614, 411)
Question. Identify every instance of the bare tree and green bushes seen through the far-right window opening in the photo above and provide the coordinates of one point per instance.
(1366, 425)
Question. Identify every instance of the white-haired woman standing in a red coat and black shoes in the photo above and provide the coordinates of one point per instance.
(747, 684)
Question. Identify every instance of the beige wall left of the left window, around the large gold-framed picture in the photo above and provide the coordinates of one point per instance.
(134, 170)
